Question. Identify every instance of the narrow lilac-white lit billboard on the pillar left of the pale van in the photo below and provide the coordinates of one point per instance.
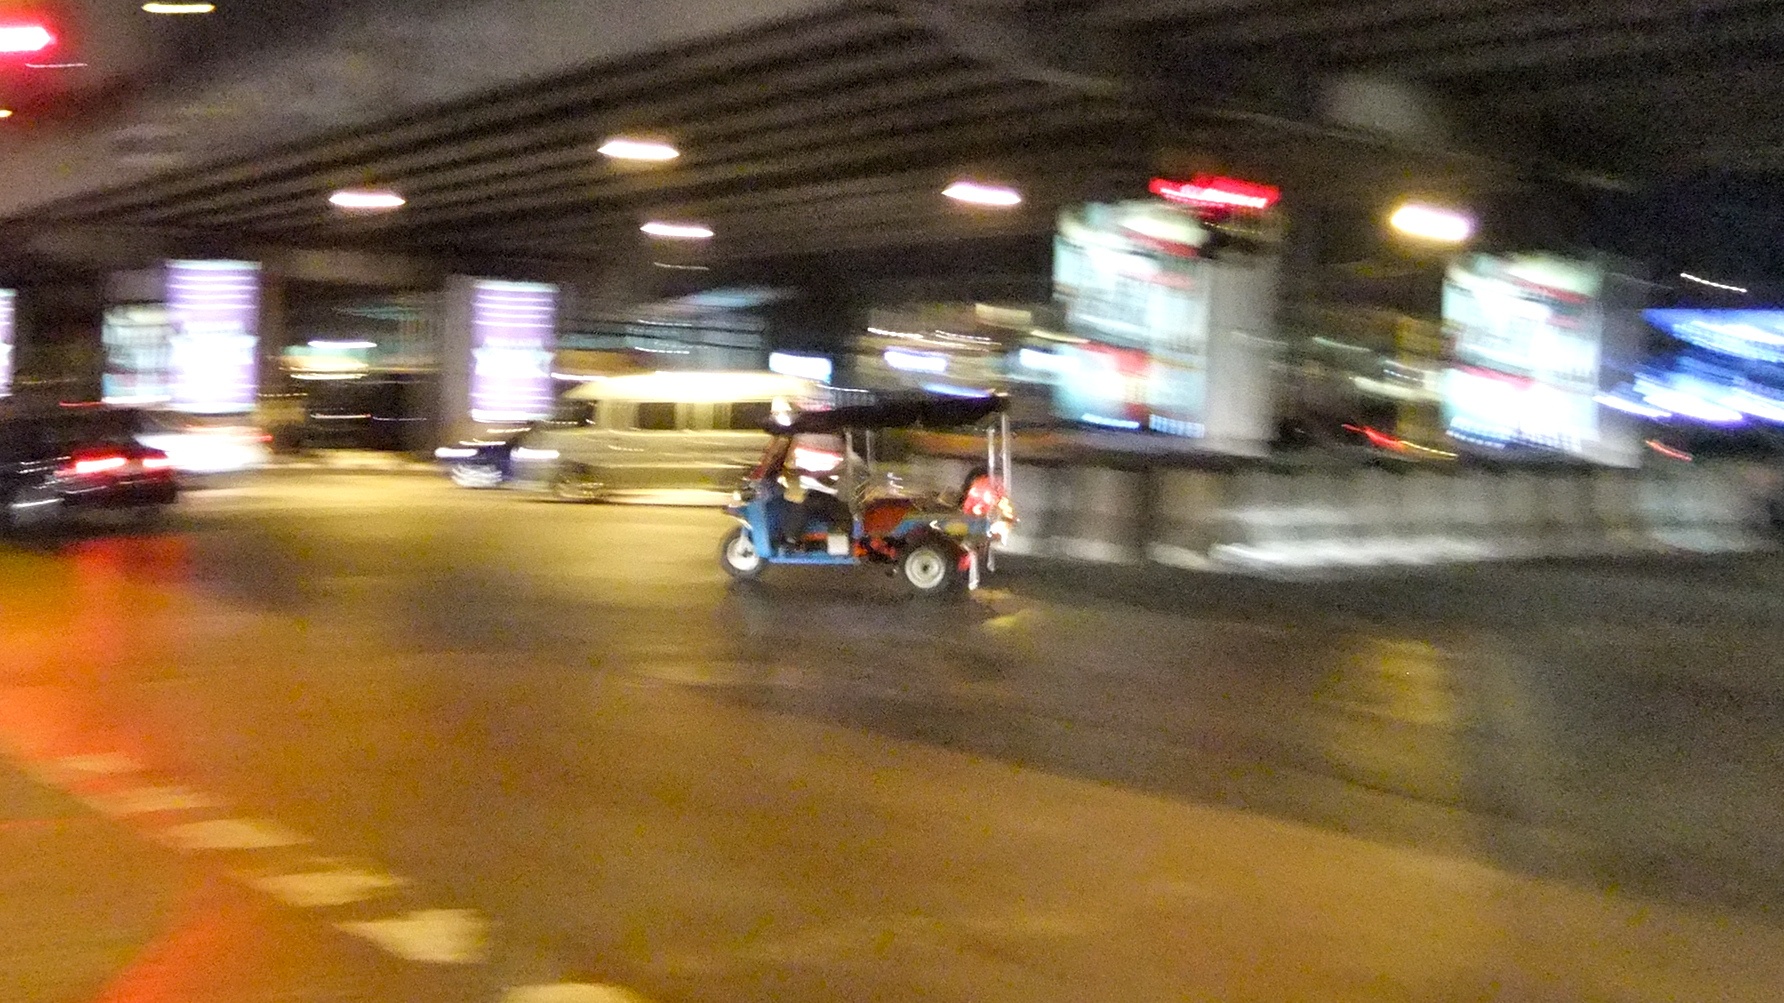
(513, 329)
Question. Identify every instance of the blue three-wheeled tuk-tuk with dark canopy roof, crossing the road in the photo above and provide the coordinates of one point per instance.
(937, 543)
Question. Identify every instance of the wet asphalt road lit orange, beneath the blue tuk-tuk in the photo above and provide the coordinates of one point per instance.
(454, 745)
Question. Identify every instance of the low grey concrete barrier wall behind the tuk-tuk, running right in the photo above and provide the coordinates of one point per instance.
(1285, 522)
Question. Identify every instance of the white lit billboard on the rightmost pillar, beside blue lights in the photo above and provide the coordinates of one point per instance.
(1526, 340)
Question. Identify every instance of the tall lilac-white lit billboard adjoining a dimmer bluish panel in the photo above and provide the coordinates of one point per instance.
(213, 315)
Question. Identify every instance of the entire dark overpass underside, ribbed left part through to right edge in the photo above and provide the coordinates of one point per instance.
(834, 131)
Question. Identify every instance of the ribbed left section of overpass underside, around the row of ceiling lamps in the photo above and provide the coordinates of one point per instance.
(830, 131)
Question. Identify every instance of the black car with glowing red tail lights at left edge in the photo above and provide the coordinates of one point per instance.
(74, 461)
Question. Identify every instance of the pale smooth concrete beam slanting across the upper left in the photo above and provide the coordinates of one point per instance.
(361, 72)
